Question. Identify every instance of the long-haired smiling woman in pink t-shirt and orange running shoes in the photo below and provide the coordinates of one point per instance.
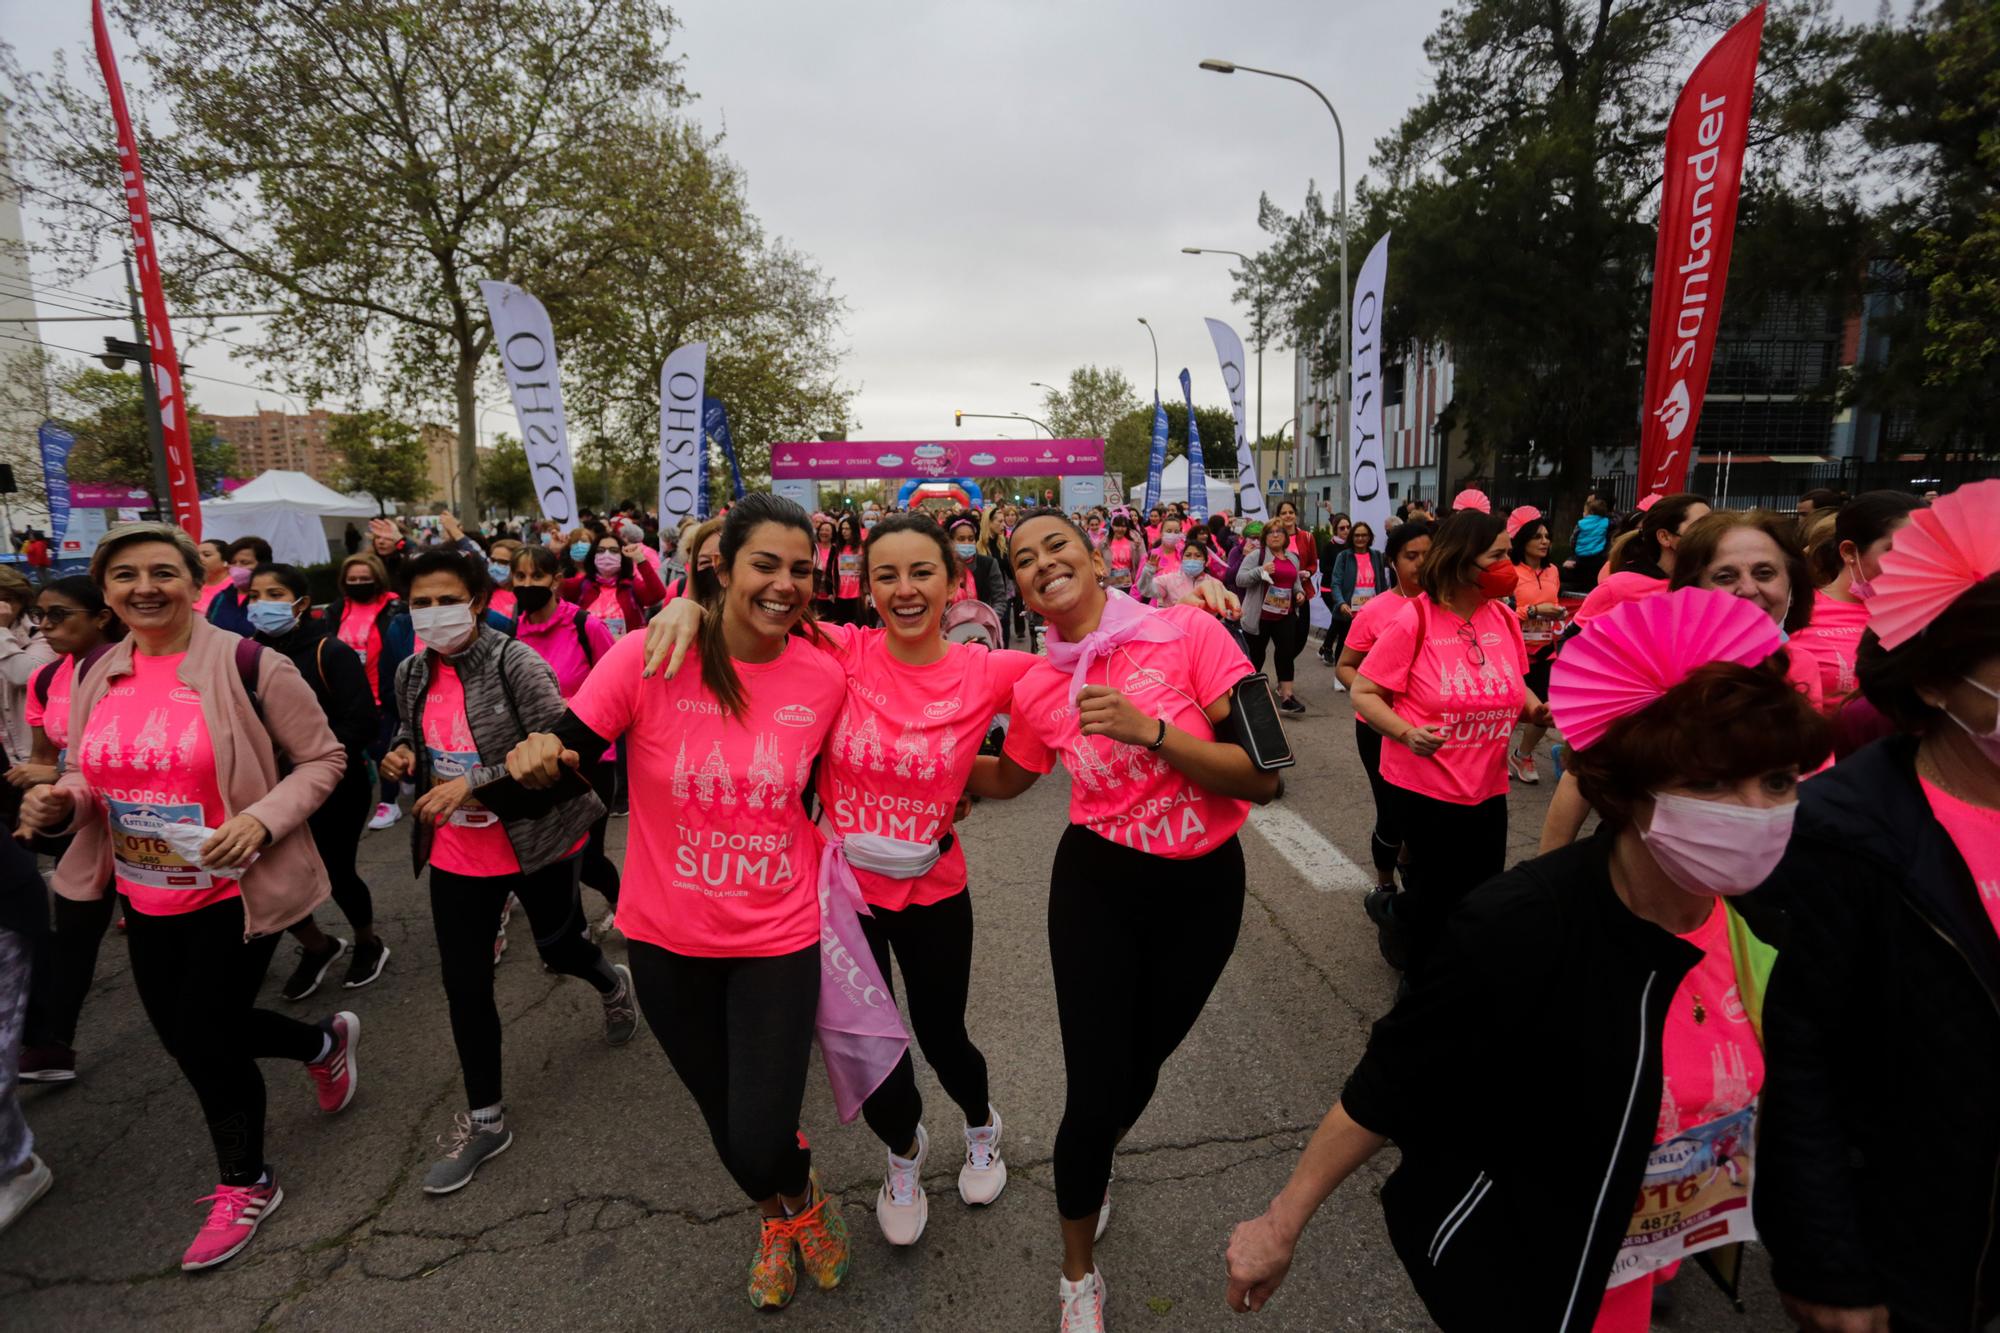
(721, 892)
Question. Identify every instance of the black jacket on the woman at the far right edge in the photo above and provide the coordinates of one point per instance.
(1879, 1132)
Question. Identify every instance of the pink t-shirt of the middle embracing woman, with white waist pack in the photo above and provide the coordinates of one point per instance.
(903, 750)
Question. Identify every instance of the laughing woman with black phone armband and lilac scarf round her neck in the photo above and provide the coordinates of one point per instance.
(1149, 880)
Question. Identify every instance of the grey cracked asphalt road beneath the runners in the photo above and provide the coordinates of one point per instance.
(611, 1210)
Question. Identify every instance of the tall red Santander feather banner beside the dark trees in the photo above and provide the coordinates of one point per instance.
(1705, 165)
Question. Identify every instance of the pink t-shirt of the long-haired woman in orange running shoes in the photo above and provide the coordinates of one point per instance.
(723, 860)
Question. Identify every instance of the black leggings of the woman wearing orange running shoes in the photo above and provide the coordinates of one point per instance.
(739, 1034)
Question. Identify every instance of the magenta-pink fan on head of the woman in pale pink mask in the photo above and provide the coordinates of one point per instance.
(1633, 655)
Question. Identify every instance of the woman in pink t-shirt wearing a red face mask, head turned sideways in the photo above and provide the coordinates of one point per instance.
(1445, 686)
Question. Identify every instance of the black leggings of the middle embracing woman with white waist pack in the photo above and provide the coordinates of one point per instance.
(935, 954)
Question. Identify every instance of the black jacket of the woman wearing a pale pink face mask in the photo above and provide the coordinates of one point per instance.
(1521, 1078)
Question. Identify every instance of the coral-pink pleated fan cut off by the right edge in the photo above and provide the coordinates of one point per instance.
(1945, 551)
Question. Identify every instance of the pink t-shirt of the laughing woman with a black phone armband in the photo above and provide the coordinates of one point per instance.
(1123, 792)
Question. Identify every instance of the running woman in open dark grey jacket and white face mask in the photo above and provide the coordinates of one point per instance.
(467, 700)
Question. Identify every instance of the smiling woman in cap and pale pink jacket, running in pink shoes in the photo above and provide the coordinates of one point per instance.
(177, 798)
